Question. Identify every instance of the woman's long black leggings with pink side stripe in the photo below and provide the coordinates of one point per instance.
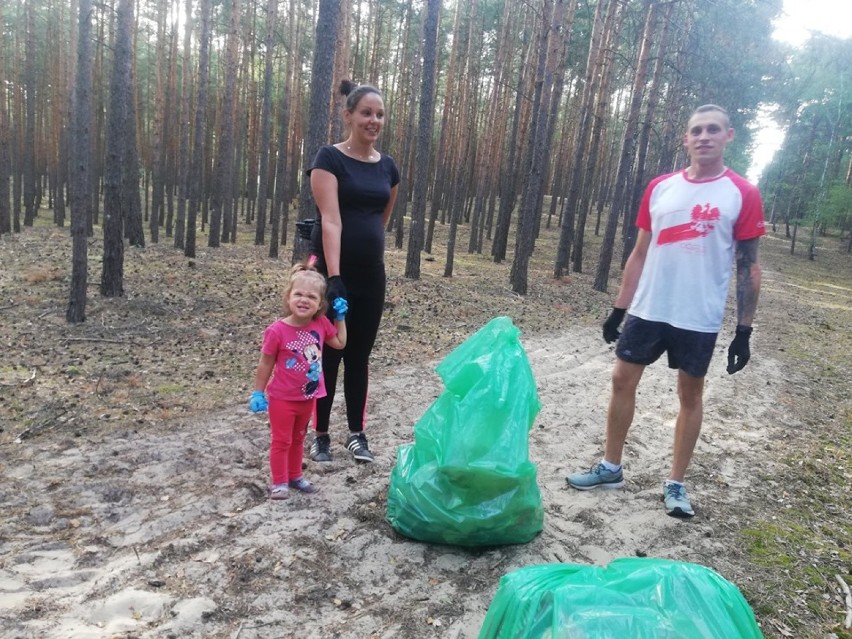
(366, 298)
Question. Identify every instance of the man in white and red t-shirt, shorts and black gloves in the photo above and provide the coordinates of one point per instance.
(675, 285)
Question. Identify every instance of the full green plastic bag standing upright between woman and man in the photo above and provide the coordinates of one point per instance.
(467, 479)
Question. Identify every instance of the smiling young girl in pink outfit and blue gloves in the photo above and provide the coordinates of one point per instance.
(292, 347)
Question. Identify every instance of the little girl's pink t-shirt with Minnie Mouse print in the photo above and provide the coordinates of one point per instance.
(298, 359)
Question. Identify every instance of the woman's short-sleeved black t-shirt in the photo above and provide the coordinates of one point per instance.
(363, 191)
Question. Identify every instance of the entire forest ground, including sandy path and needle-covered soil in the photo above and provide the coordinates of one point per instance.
(133, 476)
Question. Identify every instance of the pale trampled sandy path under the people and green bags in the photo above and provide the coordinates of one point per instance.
(166, 532)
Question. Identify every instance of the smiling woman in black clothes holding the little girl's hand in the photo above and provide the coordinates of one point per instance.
(354, 187)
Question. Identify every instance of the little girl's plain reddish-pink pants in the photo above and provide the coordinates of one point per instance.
(288, 421)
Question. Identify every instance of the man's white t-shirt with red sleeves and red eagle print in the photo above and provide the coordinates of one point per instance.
(694, 226)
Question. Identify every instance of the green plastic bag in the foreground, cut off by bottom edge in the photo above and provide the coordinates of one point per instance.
(628, 599)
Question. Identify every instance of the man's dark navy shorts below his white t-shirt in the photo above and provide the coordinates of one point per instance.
(642, 342)
